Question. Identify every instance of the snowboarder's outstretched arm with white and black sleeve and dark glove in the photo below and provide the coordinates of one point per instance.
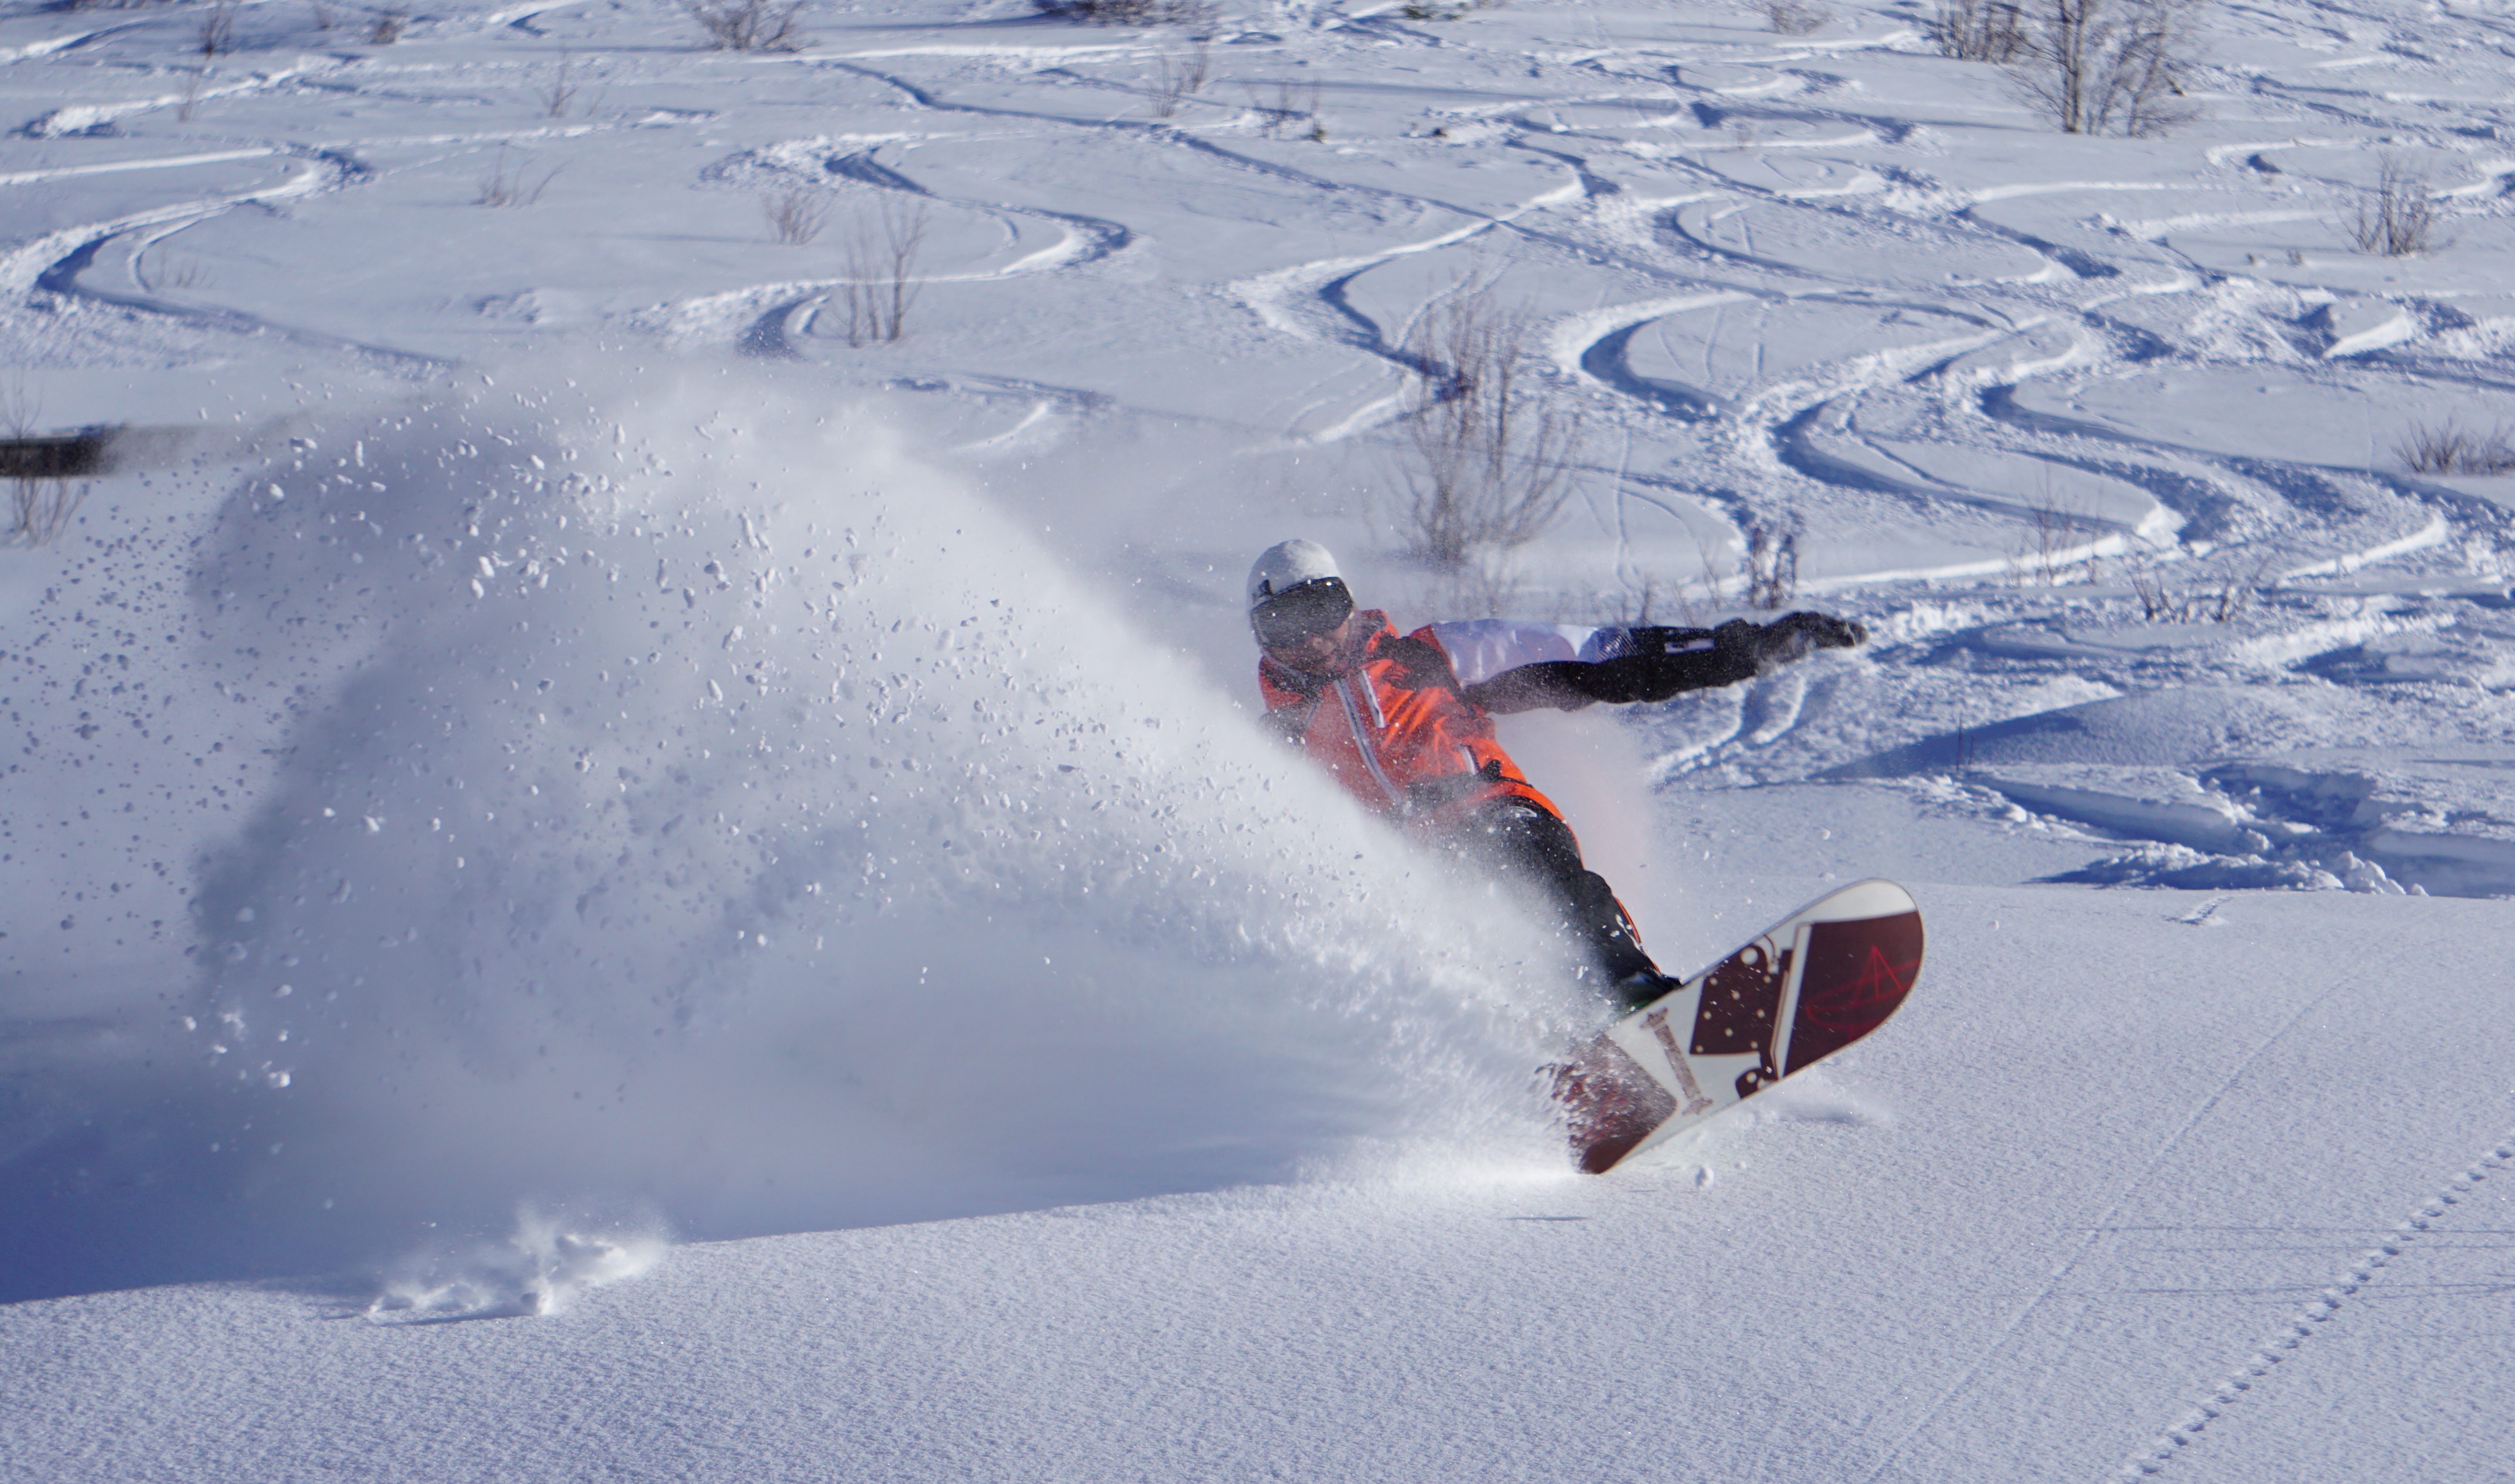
(1520, 668)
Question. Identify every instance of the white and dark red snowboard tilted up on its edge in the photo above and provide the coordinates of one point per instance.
(1799, 992)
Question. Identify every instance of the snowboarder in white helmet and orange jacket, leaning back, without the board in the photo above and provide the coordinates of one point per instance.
(1405, 721)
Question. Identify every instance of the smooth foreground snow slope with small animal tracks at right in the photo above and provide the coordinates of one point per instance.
(2084, 1214)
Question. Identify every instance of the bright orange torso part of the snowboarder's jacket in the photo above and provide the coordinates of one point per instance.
(1397, 728)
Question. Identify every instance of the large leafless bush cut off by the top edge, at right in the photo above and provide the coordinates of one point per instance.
(2106, 67)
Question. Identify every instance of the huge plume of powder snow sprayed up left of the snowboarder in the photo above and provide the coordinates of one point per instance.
(683, 796)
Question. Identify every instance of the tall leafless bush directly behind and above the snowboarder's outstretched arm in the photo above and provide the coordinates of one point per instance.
(1488, 467)
